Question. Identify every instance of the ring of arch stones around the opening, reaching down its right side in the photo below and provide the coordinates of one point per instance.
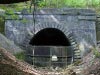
(68, 33)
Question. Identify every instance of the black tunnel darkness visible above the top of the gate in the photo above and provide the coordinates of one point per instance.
(50, 37)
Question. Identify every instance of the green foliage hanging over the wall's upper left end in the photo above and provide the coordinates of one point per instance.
(12, 8)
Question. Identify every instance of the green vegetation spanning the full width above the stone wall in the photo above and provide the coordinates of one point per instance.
(10, 8)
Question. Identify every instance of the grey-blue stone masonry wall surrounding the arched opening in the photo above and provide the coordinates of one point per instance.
(80, 22)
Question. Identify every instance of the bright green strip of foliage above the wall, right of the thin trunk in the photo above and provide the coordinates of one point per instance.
(68, 3)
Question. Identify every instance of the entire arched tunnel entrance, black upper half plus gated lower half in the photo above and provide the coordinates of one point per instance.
(51, 42)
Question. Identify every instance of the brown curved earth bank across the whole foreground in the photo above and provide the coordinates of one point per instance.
(9, 65)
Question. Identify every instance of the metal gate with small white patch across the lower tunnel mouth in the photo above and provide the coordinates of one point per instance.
(55, 56)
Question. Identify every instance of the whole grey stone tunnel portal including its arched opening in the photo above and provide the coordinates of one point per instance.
(55, 28)
